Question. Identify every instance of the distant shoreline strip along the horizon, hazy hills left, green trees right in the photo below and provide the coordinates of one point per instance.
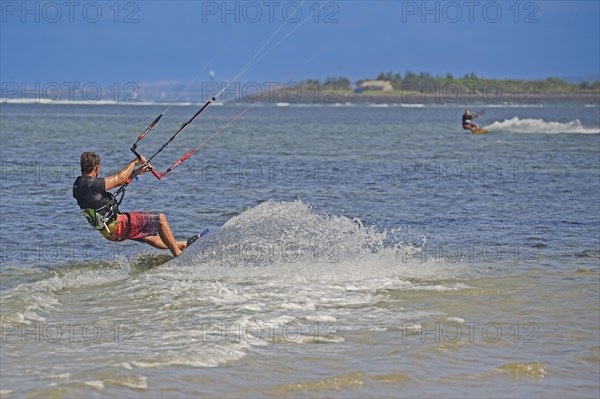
(392, 87)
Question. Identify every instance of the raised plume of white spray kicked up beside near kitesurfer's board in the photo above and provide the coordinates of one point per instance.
(289, 241)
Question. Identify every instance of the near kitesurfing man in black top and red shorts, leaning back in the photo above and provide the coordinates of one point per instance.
(101, 209)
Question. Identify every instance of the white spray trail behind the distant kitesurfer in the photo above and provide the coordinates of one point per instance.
(530, 125)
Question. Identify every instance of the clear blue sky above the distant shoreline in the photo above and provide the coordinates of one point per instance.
(159, 41)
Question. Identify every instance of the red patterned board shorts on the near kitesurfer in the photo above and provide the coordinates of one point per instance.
(134, 226)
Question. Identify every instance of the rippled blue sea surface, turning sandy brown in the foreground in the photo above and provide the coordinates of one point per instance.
(354, 251)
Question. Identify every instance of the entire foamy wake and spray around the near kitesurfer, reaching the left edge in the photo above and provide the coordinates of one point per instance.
(208, 307)
